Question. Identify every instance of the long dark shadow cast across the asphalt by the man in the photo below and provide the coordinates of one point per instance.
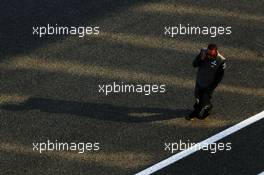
(98, 111)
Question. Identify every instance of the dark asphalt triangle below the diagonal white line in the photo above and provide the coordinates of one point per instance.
(245, 157)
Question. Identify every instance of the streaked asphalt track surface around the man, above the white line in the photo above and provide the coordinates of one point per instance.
(49, 86)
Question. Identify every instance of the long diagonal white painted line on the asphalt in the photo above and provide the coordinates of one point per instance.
(198, 146)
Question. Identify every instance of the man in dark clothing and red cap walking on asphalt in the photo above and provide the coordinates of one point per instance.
(211, 66)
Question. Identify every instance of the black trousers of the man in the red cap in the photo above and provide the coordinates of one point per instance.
(203, 98)
